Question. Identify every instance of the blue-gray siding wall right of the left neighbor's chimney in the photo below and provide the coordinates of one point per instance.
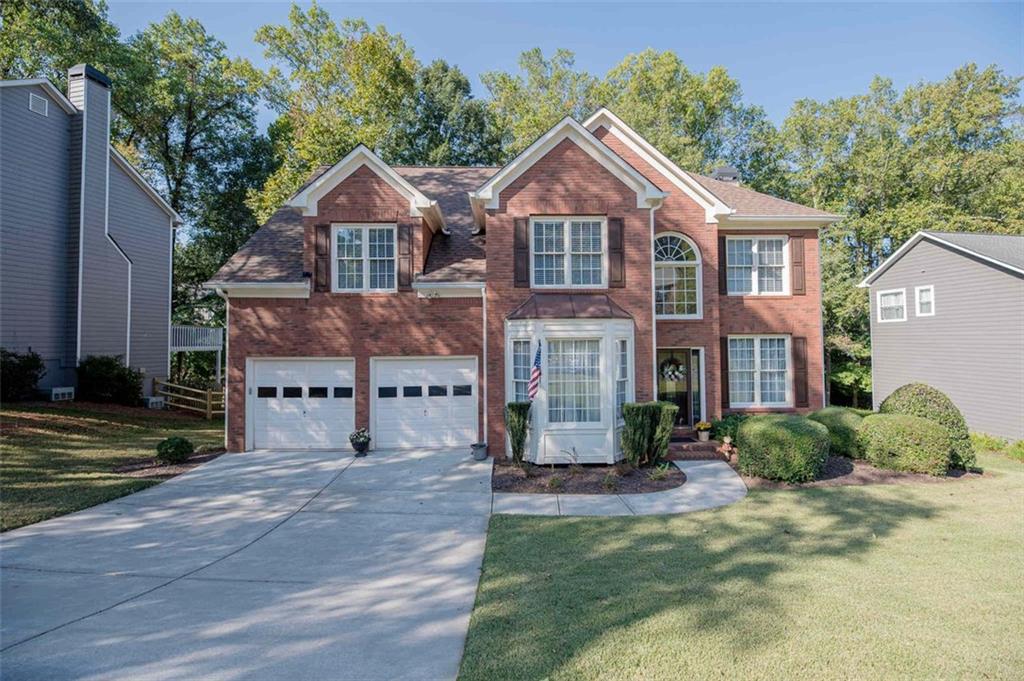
(144, 231)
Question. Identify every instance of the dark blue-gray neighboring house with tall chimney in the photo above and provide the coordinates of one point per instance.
(86, 243)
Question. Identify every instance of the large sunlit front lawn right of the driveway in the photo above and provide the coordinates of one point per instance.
(882, 582)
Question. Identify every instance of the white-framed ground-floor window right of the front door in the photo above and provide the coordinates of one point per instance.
(759, 371)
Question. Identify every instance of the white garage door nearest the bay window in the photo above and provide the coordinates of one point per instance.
(424, 403)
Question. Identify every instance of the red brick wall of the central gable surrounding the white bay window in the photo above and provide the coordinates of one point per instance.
(567, 182)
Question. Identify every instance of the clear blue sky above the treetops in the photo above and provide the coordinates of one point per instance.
(780, 53)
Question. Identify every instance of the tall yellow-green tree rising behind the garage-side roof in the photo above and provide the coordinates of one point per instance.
(347, 84)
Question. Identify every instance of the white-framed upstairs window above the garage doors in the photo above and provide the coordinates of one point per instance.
(365, 258)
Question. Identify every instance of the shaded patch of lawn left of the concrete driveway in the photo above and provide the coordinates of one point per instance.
(60, 459)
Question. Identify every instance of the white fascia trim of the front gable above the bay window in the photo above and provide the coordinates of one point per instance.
(490, 194)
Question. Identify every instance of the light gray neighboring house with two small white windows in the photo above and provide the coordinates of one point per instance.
(948, 310)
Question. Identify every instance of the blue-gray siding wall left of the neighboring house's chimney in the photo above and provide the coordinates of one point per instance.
(34, 230)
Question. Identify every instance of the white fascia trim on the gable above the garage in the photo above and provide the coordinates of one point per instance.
(419, 205)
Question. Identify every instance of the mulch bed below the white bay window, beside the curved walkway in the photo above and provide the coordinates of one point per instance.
(585, 480)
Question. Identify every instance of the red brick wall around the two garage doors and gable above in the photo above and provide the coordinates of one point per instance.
(345, 325)
